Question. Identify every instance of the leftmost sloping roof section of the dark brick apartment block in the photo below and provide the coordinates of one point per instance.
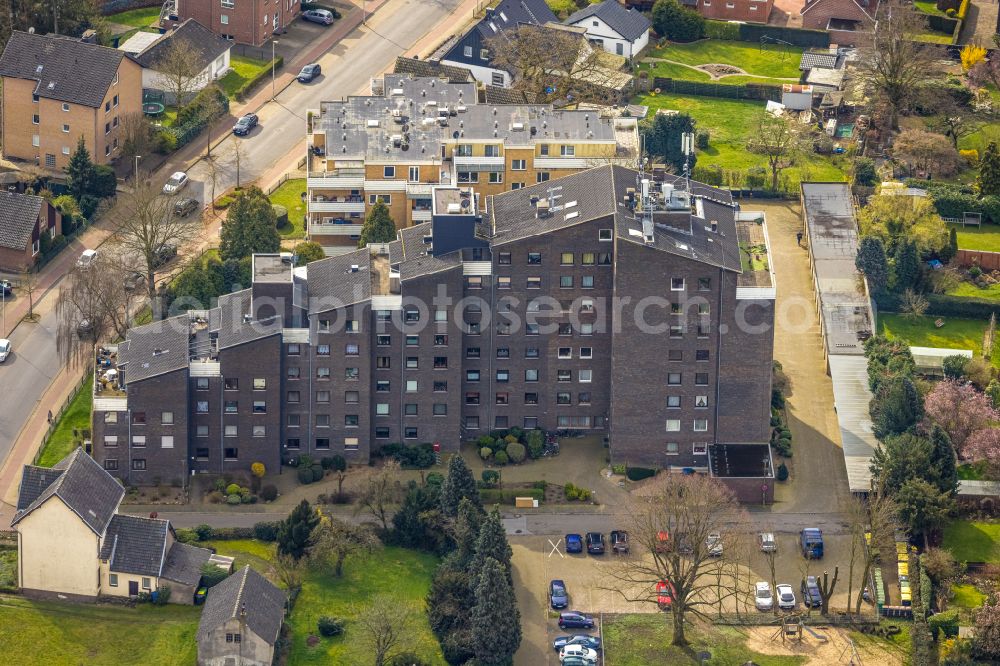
(155, 349)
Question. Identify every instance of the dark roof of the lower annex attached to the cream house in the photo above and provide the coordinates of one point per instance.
(135, 545)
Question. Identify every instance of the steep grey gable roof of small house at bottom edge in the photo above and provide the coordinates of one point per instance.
(245, 593)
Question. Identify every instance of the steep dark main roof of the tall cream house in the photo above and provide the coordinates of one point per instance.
(84, 486)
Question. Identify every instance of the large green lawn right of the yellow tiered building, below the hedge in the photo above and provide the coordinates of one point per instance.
(729, 123)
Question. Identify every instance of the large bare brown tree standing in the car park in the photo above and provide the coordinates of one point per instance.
(671, 521)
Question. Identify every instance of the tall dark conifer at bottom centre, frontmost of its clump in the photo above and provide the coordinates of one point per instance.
(495, 619)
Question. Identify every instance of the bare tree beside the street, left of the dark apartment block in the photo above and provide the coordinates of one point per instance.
(145, 225)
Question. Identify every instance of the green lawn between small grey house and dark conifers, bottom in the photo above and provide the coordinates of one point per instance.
(405, 574)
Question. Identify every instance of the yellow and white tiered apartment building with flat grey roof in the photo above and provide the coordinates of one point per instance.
(418, 132)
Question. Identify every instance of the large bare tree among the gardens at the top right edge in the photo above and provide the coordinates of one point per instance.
(895, 64)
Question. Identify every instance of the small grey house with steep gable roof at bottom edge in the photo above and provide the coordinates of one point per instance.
(241, 621)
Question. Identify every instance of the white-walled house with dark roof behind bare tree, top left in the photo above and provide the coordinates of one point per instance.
(211, 52)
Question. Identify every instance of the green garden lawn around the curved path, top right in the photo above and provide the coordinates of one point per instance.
(779, 62)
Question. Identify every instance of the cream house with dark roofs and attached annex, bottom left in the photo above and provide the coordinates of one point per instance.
(72, 542)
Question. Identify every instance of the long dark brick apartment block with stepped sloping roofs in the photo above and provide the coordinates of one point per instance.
(576, 304)
